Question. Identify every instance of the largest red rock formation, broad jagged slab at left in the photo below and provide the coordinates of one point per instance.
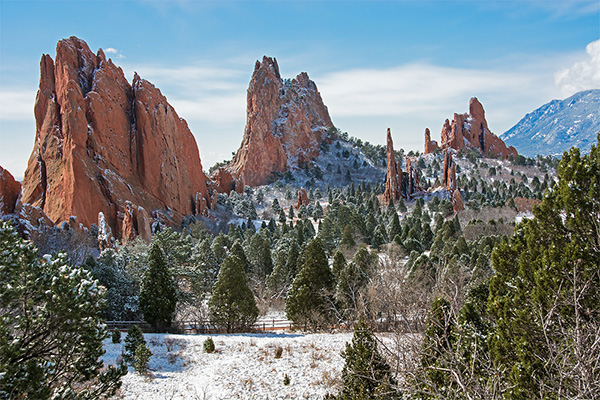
(104, 145)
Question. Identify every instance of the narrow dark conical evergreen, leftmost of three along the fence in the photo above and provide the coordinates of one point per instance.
(158, 295)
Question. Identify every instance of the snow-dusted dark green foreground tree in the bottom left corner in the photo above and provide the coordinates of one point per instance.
(50, 327)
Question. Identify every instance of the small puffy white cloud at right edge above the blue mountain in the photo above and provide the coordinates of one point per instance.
(582, 75)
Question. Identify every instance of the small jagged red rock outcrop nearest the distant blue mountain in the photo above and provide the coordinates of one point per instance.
(470, 130)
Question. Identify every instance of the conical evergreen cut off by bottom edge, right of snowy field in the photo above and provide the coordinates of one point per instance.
(366, 374)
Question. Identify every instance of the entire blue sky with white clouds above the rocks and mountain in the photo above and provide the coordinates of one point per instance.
(406, 65)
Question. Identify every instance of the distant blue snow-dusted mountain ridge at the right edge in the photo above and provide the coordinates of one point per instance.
(557, 126)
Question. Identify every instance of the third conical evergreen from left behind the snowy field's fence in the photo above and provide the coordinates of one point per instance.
(310, 297)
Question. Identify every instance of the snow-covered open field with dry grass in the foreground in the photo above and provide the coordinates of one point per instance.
(244, 366)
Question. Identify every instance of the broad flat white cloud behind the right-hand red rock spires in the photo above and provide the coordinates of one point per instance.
(412, 97)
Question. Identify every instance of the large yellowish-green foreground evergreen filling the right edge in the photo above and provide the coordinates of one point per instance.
(545, 295)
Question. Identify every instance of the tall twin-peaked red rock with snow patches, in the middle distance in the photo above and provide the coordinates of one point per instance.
(285, 124)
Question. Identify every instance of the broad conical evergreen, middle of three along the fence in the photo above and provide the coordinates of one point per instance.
(232, 305)
